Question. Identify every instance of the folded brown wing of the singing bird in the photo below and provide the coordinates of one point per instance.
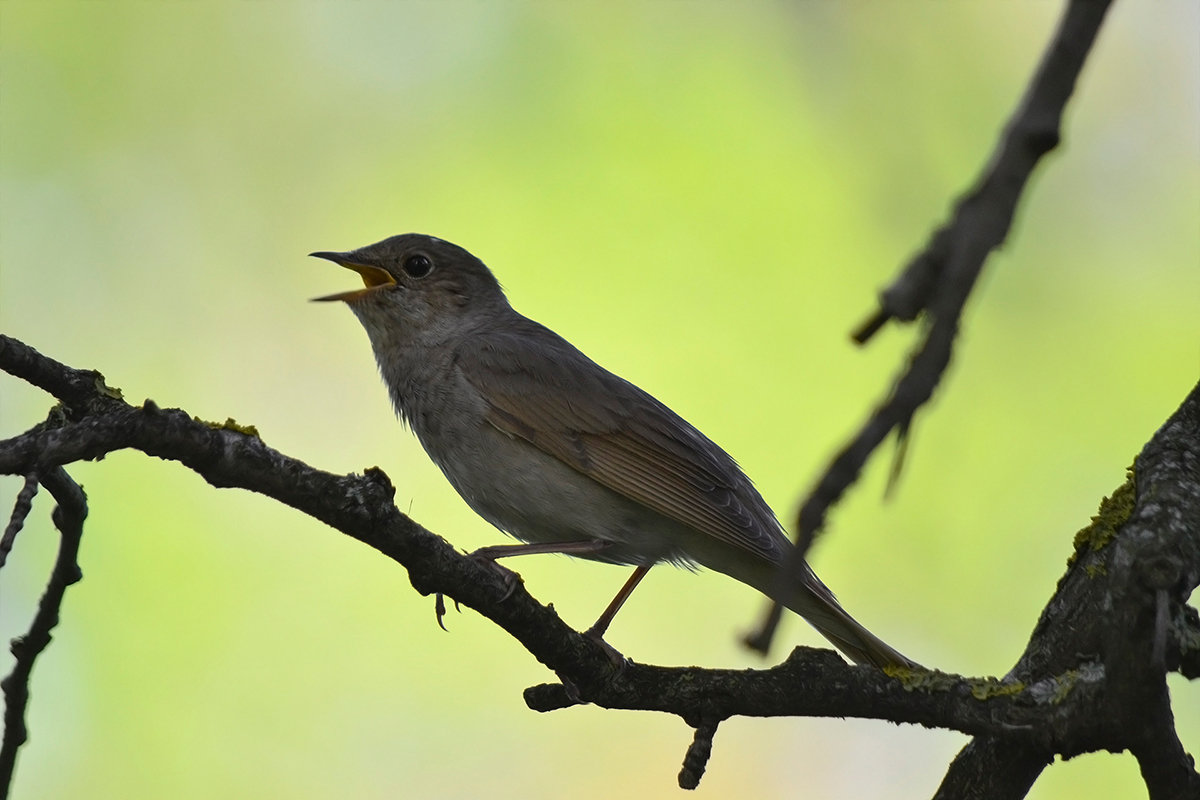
(535, 383)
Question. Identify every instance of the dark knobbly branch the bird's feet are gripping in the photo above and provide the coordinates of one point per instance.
(361, 507)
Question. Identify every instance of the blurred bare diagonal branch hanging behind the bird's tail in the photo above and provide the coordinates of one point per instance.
(940, 279)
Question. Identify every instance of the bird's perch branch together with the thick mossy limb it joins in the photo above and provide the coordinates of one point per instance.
(1051, 703)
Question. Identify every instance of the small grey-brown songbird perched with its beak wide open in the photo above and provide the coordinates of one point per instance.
(557, 452)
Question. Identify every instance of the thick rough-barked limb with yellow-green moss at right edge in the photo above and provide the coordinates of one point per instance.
(1123, 604)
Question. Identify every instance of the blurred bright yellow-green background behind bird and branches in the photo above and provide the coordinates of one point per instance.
(705, 197)
